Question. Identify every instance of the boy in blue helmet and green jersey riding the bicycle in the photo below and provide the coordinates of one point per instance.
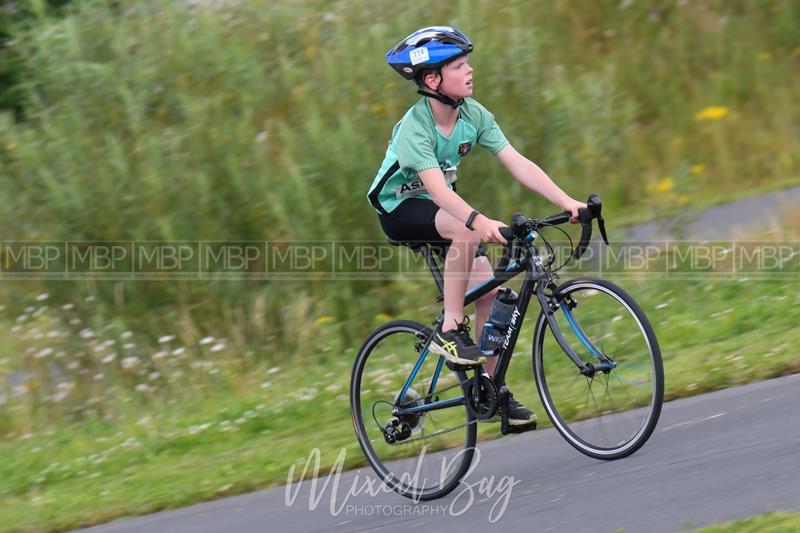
(414, 191)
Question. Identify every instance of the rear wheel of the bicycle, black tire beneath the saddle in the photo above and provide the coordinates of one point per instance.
(385, 459)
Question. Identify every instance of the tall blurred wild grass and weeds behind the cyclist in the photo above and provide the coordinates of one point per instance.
(263, 120)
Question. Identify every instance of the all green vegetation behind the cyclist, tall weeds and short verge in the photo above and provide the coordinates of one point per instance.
(266, 121)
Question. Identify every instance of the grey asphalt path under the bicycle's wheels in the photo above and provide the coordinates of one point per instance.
(715, 457)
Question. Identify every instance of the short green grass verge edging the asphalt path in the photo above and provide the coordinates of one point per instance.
(226, 431)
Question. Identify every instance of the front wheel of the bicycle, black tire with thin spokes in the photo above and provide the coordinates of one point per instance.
(612, 413)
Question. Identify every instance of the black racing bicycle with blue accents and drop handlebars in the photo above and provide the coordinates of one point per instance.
(595, 359)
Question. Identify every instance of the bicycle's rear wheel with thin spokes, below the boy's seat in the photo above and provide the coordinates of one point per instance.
(412, 467)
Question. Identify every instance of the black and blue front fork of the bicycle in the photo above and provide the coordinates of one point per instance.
(553, 301)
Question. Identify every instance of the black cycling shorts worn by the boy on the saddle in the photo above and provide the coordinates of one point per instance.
(414, 220)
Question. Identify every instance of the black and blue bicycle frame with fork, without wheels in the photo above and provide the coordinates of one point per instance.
(538, 277)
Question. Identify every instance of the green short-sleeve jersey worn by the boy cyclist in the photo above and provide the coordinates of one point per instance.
(417, 144)
